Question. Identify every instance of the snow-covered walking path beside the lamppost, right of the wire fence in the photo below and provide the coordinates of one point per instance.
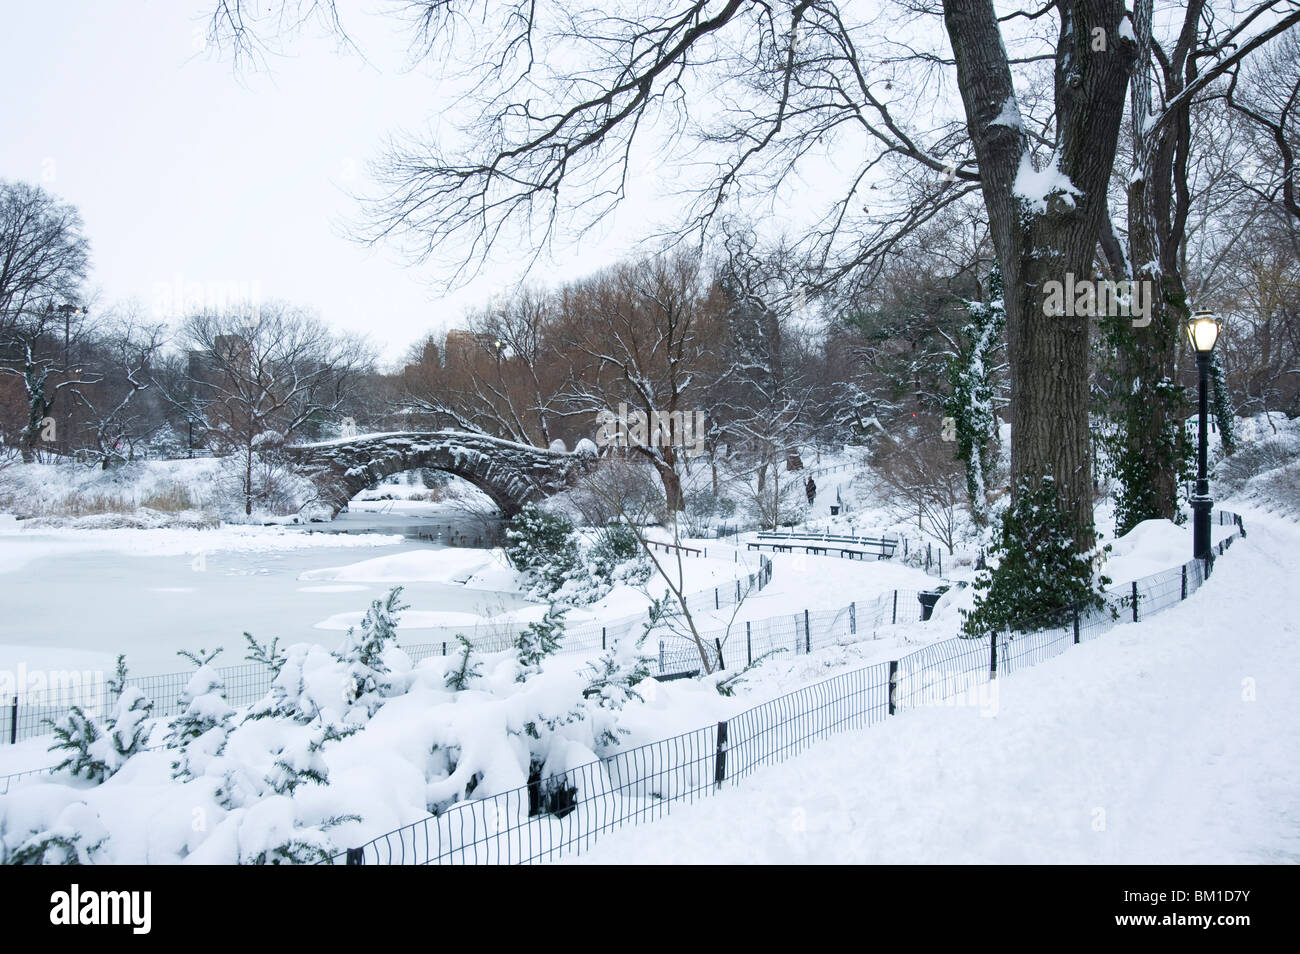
(1143, 747)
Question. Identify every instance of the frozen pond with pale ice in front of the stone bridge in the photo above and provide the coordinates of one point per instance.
(68, 605)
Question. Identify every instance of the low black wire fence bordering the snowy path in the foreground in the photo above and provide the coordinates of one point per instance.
(567, 813)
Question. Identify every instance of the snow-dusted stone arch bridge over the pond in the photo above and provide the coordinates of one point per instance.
(510, 474)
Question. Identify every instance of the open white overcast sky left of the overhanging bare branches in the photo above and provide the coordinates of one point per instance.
(193, 177)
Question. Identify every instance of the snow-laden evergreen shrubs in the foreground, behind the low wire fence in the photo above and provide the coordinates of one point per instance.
(348, 745)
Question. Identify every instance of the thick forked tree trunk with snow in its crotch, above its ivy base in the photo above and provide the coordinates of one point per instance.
(1045, 231)
